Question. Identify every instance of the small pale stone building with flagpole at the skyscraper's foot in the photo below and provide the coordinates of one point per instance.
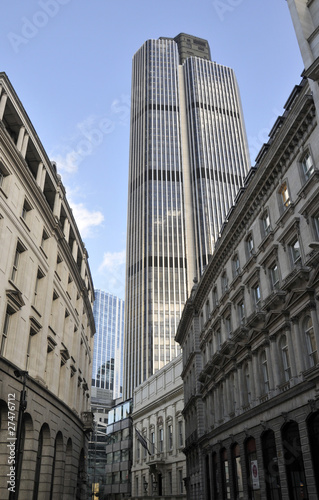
(159, 468)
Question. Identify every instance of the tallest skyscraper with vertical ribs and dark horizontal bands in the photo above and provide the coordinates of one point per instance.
(188, 159)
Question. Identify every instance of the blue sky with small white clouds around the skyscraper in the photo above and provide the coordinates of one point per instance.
(70, 64)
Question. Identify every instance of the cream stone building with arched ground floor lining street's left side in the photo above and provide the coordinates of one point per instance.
(47, 325)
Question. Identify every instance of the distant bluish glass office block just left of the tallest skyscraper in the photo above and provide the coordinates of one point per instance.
(107, 377)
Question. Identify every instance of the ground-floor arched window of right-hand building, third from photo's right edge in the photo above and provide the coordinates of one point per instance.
(271, 471)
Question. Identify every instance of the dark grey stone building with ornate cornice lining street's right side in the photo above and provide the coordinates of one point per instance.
(249, 331)
